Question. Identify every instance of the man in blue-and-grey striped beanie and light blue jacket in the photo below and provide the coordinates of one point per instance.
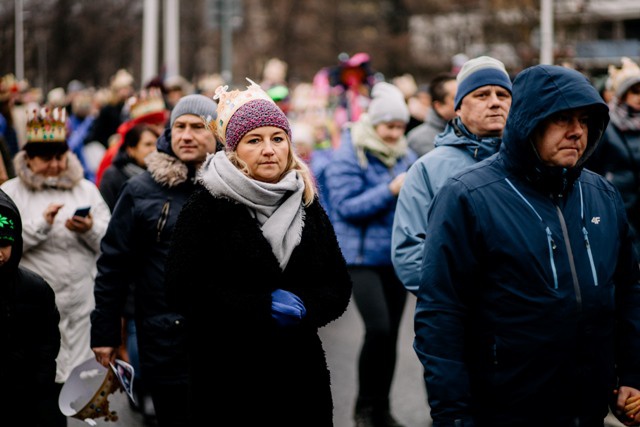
(482, 103)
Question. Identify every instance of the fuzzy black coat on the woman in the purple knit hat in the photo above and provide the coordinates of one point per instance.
(220, 275)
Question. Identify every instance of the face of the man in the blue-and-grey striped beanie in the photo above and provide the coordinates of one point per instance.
(484, 111)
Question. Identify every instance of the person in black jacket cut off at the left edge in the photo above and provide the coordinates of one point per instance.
(28, 330)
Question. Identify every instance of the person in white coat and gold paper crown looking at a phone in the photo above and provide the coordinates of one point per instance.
(59, 245)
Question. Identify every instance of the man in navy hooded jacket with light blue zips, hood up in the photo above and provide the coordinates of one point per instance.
(528, 310)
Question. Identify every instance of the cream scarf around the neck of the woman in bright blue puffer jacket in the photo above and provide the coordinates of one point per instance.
(365, 139)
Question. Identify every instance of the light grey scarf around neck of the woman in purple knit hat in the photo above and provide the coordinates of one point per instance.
(277, 207)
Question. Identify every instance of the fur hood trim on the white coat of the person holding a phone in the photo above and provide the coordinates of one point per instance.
(37, 182)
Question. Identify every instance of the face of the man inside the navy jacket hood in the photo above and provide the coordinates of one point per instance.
(562, 138)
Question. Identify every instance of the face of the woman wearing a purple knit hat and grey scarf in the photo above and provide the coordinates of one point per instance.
(265, 150)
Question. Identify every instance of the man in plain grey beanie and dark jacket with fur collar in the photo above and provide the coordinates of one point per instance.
(134, 251)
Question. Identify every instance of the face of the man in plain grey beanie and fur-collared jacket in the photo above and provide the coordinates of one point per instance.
(191, 139)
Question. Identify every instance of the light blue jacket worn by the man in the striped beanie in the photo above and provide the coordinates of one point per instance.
(456, 148)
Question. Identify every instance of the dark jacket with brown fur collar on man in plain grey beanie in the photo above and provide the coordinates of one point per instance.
(134, 251)
